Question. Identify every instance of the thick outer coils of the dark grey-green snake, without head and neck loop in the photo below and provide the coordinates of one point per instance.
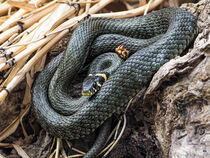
(162, 35)
